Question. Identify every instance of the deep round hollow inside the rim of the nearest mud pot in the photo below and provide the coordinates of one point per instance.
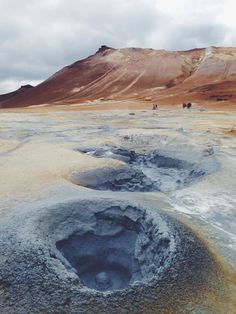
(120, 248)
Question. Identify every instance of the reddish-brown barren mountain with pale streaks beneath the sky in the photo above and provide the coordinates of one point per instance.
(134, 73)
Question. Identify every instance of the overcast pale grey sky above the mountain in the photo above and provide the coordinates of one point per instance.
(38, 37)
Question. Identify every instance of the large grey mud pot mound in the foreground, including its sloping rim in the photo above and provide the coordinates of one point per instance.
(115, 256)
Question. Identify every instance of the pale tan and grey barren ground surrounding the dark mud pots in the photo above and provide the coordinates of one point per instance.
(42, 164)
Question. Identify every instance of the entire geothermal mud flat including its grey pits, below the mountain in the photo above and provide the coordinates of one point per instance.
(118, 212)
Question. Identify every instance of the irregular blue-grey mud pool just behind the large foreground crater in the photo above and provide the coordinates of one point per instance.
(150, 171)
